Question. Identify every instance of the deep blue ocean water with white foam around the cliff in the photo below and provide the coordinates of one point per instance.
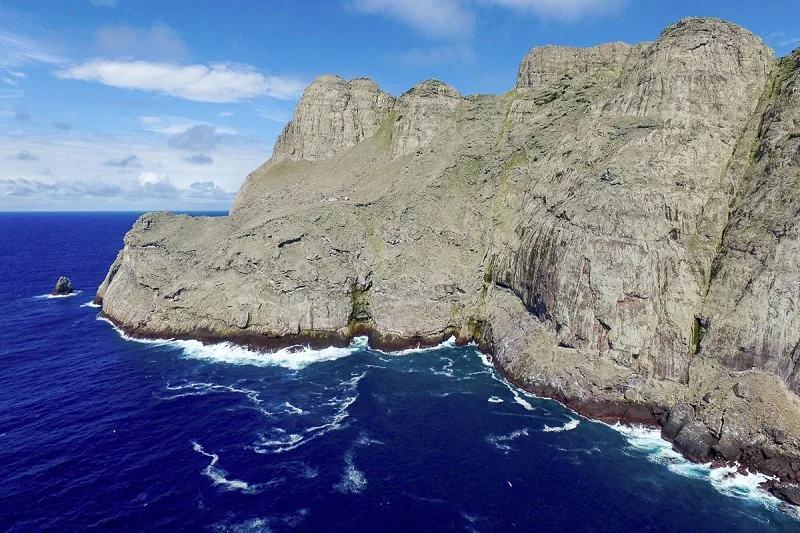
(97, 431)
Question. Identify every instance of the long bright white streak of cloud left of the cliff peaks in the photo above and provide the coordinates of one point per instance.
(218, 83)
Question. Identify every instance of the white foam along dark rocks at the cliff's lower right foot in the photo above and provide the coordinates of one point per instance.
(727, 480)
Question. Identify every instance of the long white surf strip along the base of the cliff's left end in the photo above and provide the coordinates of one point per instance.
(293, 357)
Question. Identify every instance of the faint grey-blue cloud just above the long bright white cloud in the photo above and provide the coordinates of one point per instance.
(156, 43)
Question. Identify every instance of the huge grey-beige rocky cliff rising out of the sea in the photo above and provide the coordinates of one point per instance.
(619, 230)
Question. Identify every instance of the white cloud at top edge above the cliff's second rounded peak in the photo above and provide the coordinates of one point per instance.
(447, 18)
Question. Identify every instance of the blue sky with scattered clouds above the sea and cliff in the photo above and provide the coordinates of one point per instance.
(153, 104)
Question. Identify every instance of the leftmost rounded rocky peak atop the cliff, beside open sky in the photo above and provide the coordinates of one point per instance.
(333, 115)
